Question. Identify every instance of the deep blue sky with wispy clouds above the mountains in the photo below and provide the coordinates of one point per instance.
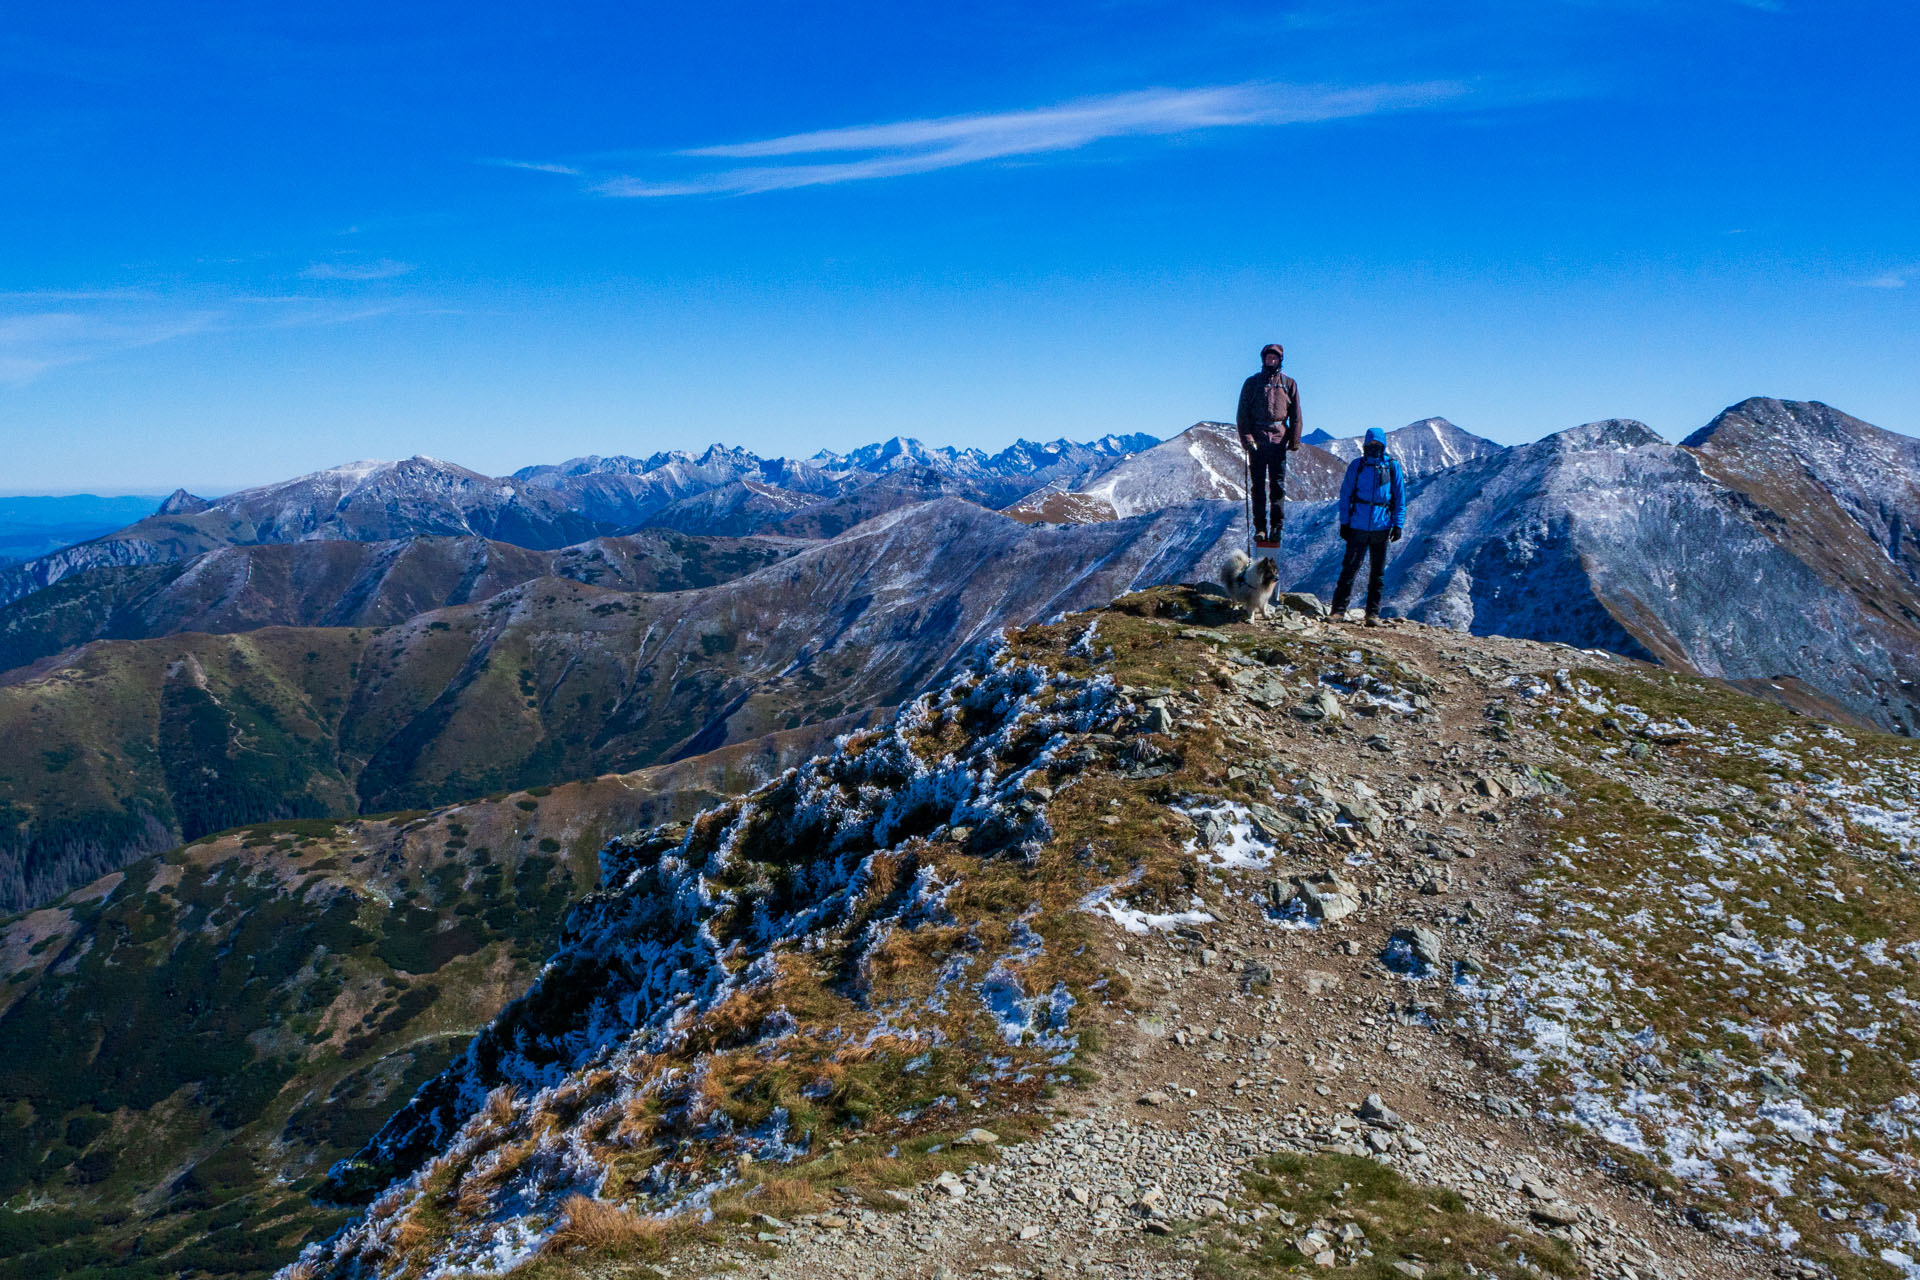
(252, 241)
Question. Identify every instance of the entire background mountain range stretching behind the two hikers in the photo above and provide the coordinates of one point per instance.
(395, 636)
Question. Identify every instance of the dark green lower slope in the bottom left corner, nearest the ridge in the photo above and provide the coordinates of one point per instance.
(193, 1041)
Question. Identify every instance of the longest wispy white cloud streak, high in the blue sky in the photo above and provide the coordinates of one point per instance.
(901, 149)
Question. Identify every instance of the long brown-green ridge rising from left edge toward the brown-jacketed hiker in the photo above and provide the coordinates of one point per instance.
(128, 747)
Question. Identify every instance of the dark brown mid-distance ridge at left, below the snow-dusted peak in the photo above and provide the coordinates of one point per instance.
(333, 584)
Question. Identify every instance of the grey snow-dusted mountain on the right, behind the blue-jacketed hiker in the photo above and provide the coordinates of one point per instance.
(1777, 544)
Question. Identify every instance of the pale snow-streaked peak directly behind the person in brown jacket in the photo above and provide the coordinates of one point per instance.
(1201, 463)
